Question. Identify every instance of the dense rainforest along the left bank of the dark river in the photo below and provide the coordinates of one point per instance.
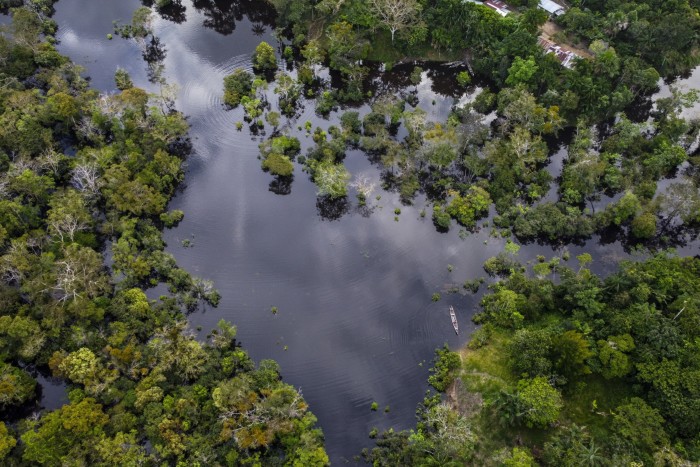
(82, 174)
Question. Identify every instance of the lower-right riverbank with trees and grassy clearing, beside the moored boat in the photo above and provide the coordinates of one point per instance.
(562, 387)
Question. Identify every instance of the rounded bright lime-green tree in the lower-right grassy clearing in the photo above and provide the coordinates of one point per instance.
(539, 401)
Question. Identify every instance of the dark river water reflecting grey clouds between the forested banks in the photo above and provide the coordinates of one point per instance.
(356, 323)
